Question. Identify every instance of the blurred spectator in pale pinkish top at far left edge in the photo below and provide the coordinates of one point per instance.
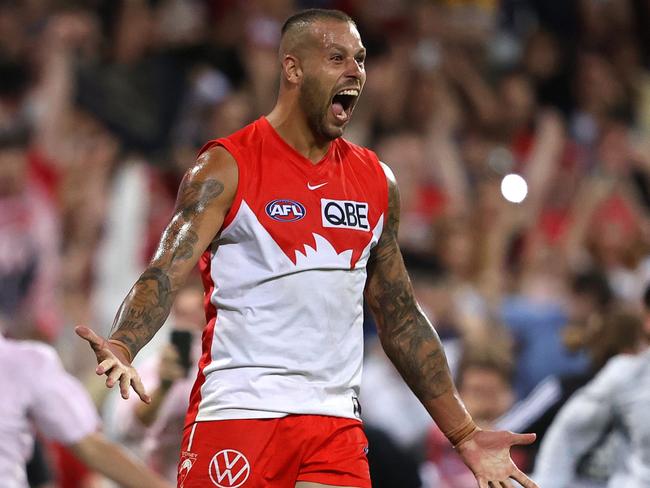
(29, 245)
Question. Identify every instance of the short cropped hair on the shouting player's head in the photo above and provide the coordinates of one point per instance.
(296, 32)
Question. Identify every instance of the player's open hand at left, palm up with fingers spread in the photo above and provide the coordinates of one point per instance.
(114, 363)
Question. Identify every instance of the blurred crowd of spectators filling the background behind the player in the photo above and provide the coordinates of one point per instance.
(104, 104)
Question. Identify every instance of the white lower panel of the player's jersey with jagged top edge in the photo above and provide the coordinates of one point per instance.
(281, 345)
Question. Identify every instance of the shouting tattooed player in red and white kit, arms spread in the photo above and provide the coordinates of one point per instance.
(292, 225)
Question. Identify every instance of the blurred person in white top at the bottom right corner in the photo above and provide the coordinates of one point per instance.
(615, 401)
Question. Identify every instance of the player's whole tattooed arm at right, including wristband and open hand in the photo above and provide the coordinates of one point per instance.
(412, 344)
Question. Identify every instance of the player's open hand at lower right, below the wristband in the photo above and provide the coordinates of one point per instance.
(487, 454)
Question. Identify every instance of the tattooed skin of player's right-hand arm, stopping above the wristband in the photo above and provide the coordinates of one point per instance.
(407, 336)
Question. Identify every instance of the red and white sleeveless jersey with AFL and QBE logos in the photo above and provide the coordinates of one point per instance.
(284, 281)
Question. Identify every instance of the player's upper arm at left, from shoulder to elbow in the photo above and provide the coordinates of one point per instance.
(204, 198)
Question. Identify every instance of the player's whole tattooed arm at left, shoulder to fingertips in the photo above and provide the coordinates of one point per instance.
(204, 197)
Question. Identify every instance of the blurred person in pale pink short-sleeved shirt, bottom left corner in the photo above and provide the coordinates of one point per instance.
(37, 389)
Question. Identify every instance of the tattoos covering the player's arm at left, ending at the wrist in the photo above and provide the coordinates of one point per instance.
(149, 301)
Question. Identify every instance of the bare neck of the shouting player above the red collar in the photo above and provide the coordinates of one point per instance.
(291, 125)
